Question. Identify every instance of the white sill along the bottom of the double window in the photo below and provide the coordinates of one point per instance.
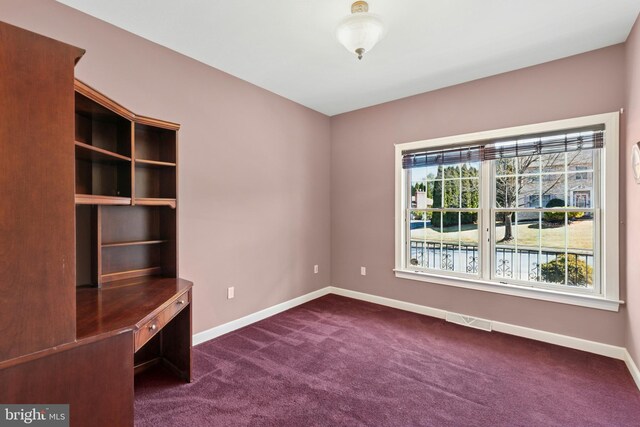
(540, 294)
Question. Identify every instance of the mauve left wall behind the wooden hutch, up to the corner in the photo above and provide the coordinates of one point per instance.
(254, 167)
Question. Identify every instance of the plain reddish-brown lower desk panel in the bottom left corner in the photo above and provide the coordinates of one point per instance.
(95, 379)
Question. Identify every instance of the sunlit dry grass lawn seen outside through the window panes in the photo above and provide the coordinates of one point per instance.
(579, 235)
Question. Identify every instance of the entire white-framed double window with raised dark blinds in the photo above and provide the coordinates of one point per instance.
(529, 211)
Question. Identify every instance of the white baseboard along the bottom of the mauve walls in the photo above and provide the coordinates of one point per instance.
(608, 350)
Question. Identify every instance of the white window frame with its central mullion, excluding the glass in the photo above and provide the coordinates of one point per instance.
(606, 296)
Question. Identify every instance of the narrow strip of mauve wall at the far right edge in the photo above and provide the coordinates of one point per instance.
(632, 128)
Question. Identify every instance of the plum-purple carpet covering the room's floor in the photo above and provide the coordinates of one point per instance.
(341, 362)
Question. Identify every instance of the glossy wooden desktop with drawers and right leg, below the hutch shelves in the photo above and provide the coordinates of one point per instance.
(156, 309)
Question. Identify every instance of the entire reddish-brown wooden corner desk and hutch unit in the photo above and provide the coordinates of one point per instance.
(89, 250)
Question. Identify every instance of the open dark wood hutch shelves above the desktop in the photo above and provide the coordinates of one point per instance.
(119, 154)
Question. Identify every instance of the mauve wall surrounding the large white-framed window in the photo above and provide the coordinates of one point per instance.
(362, 180)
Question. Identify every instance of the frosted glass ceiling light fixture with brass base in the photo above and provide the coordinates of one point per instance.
(360, 31)
